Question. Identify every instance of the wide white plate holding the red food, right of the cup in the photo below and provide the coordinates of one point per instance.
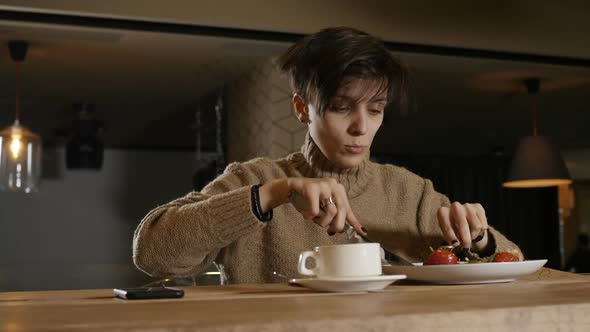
(476, 273)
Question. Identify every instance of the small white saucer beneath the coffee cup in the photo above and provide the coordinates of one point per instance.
(362, 284)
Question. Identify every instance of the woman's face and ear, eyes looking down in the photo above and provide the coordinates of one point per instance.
(346, 130)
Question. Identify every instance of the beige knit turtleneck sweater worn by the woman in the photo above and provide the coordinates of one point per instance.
(182, 238)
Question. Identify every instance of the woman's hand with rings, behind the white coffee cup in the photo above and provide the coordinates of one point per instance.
(330, 214)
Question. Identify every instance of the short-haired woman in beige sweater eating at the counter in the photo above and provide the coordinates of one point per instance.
(342, 80)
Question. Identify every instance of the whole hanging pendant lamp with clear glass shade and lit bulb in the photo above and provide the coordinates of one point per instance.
(20, 148)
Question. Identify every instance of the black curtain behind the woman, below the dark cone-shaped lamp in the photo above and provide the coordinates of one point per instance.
(528, 217)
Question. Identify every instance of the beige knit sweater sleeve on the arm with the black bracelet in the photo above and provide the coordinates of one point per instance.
(184, 236)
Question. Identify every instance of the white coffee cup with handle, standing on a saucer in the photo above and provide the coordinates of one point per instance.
(342, 261)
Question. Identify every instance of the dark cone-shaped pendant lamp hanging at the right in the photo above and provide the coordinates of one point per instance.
(536, 162)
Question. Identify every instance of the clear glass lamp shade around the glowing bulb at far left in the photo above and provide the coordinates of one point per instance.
(20, 159)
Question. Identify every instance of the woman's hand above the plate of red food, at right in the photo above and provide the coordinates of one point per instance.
(465, 225)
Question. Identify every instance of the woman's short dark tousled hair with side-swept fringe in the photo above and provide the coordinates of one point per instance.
(317, 65)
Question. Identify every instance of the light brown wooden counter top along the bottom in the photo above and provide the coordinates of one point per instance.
(548, 300)
